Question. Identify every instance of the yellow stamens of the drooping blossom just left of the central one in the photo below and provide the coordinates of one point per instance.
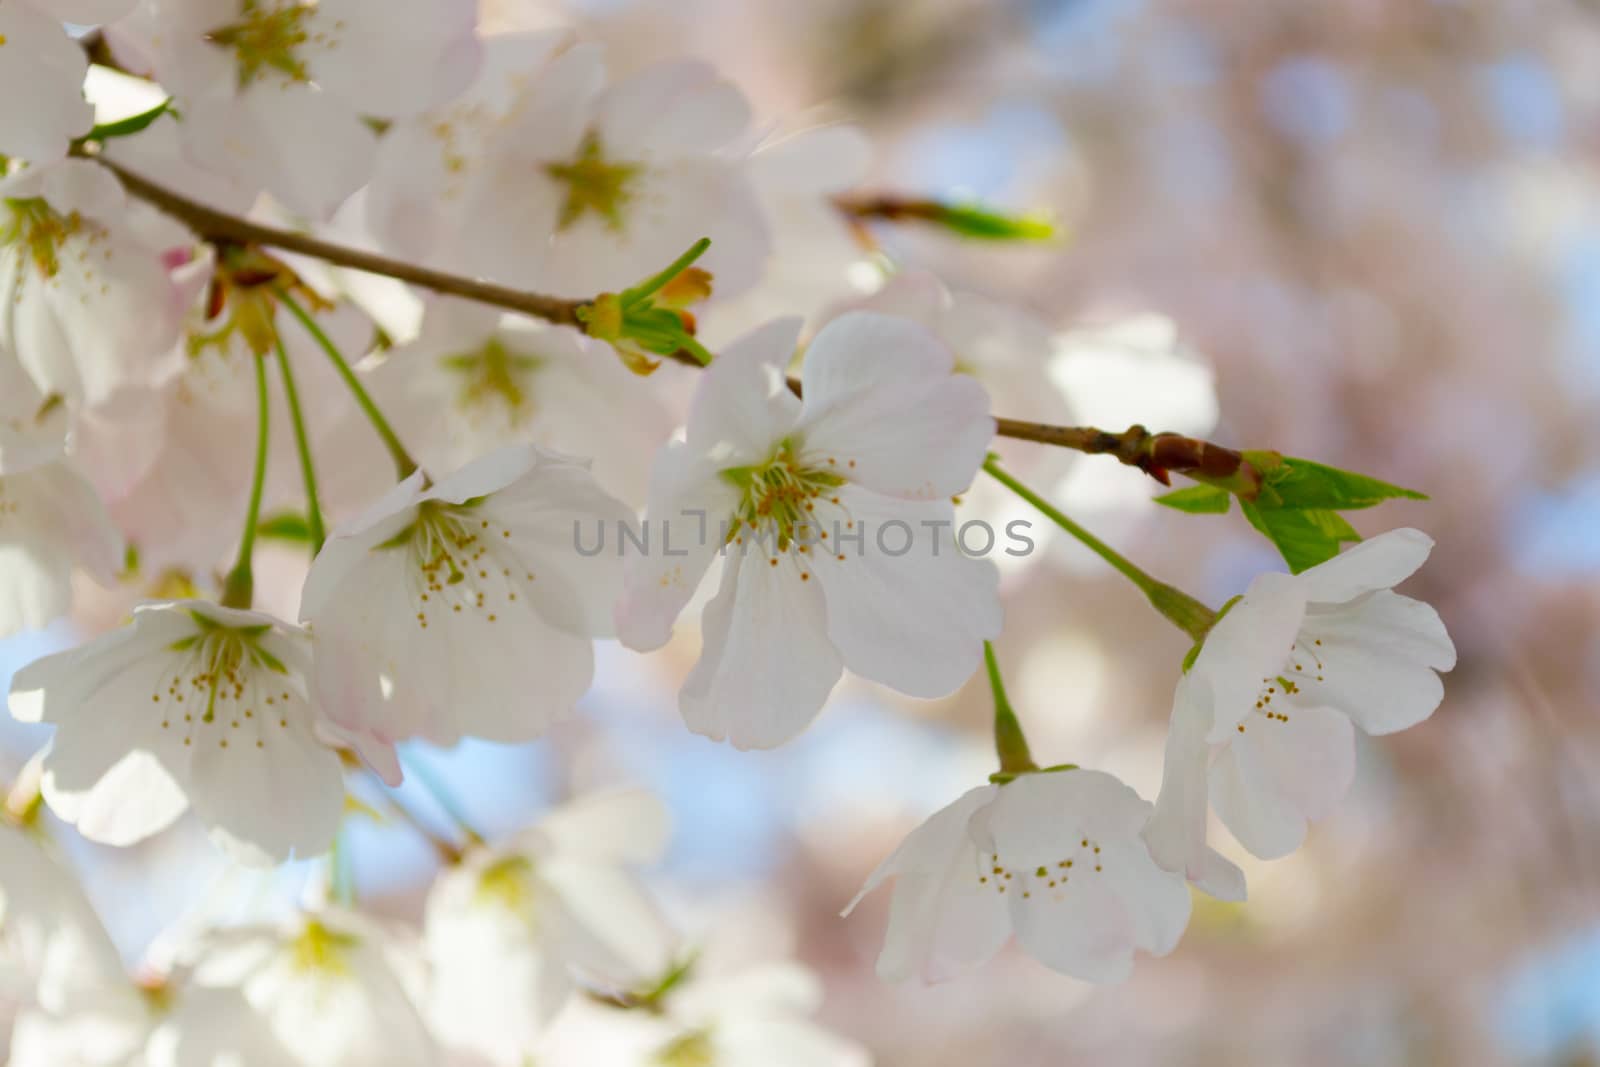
(462, 564)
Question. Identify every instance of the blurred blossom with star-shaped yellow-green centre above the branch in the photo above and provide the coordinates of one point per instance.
(585, 183)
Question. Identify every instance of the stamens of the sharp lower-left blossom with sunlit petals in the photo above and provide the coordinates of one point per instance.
(226, 681)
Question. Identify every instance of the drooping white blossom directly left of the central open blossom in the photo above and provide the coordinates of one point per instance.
(463, 607)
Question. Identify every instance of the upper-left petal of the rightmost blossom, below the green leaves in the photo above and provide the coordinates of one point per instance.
(1249, 645)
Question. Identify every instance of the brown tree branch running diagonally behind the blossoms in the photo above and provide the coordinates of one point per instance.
(1158, 455)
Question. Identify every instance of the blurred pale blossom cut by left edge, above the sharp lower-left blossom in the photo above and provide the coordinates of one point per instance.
(50, 518)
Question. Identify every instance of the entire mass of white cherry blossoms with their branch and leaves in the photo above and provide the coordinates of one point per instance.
(183, 346)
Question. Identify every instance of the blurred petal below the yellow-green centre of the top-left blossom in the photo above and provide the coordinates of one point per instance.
(262, 137)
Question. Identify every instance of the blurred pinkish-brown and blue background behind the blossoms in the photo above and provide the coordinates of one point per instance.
(1377, 222)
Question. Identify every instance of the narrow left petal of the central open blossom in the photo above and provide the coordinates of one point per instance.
(689, 508)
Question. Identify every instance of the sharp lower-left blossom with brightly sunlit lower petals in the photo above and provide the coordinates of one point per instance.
(191, 705)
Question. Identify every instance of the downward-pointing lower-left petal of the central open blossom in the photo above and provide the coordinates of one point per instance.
(767, 665)
